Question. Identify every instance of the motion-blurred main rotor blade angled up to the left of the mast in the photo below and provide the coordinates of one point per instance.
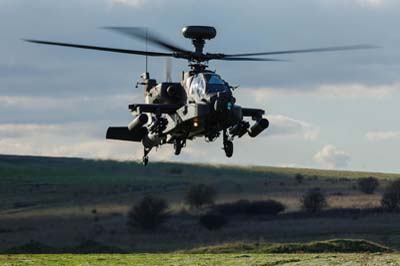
(146, 35)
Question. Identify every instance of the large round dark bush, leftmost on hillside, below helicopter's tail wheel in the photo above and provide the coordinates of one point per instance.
(148, 213)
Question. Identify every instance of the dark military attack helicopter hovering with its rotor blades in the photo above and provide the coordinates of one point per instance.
(200, 105)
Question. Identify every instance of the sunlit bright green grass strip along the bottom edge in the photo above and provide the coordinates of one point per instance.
(203, 259)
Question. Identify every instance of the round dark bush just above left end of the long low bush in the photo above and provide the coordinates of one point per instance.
(200, 195)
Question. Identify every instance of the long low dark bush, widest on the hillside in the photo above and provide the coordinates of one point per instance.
(245, 207)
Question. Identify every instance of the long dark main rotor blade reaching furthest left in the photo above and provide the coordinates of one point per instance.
(106, 49)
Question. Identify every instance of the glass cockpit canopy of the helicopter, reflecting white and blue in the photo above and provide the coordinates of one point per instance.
(202, 84)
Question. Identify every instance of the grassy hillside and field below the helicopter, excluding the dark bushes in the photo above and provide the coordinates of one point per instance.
(62, 202)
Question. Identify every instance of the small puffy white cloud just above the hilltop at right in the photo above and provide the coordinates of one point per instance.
(330, 157)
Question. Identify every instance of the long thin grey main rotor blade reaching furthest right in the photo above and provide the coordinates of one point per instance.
(325, 49)
